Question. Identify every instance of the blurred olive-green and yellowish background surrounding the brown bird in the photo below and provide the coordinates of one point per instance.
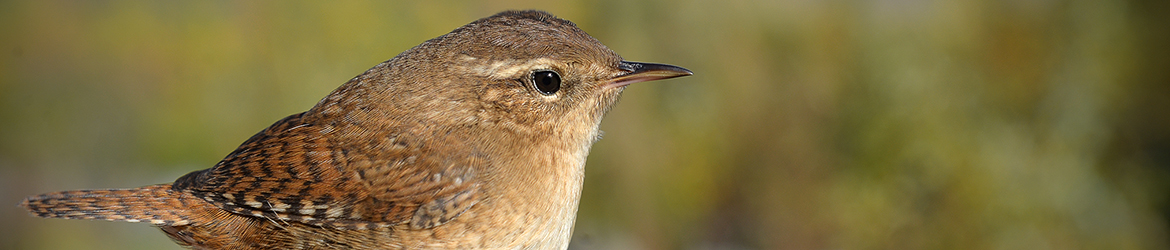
(885, 124)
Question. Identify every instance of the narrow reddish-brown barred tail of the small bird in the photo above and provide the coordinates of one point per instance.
(156, 205)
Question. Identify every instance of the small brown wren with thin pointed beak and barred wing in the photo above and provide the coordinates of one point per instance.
(476, 140)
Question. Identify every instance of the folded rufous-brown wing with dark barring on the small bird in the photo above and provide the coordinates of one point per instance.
(293, 172)
